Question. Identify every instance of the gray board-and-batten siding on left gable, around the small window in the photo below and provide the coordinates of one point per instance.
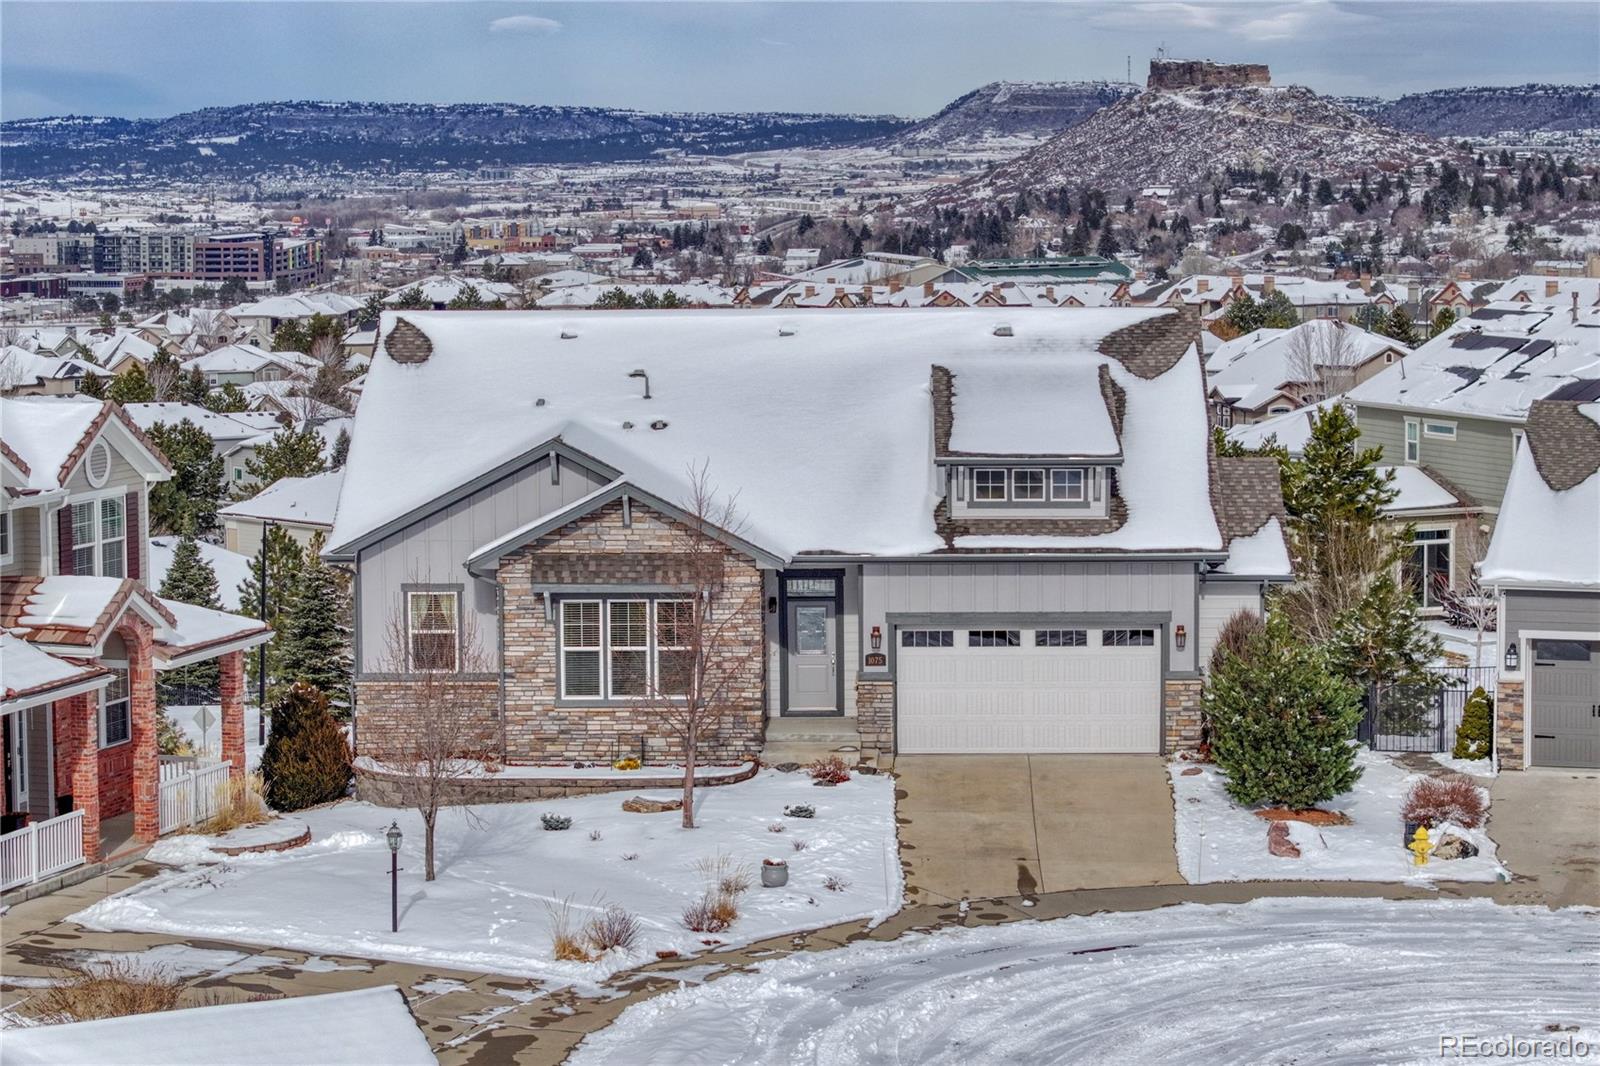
(436, 550)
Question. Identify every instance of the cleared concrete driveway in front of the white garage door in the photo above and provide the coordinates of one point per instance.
(985, 827)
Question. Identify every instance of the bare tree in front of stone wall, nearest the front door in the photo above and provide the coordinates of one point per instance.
(710, 643)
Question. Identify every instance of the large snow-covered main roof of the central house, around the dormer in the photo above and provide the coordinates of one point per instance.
(820, 423)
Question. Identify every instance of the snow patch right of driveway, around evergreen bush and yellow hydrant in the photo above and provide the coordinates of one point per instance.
(1222, 841)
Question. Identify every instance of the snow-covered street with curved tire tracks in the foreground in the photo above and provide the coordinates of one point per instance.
(1268, 982)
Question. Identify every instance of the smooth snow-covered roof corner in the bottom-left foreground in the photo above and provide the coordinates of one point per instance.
(370, 1025)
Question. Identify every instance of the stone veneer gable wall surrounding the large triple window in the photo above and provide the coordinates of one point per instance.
(598, 550)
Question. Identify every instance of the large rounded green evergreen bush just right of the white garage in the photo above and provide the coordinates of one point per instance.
(1282, 723)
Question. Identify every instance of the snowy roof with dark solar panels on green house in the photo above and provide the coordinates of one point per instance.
(1494, 363)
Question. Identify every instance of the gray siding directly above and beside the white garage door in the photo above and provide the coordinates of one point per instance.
(1033, 588)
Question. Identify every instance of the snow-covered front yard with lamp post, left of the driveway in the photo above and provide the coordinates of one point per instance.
(497, 878)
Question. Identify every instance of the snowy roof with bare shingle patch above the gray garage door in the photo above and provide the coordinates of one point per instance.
(1548, 532)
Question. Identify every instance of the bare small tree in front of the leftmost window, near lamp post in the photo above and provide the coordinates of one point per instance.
(431, 643)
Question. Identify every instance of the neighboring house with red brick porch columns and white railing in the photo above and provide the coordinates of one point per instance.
(82, 764)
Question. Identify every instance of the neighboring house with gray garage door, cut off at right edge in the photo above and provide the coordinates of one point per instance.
(1545, 564)
